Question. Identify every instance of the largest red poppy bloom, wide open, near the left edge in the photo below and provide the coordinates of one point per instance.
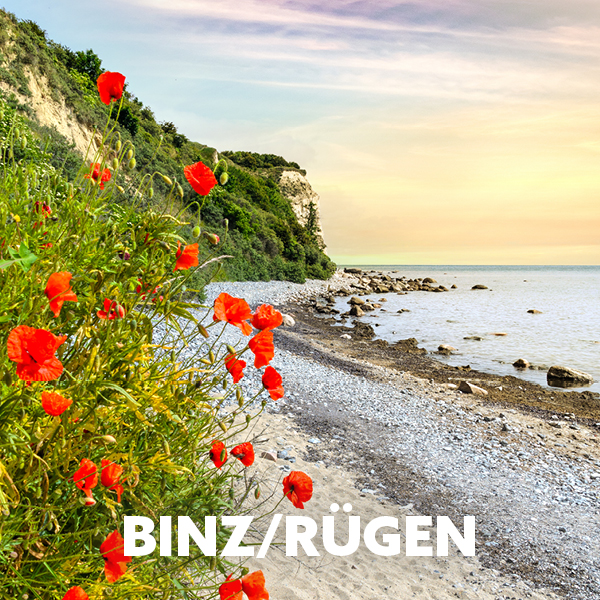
(33, 351)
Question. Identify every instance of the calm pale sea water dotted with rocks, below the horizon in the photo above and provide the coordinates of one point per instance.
(567, 333)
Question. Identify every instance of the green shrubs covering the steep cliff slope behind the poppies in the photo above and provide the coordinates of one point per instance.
(255, 222)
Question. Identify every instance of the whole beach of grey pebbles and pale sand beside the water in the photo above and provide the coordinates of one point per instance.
(395, 442)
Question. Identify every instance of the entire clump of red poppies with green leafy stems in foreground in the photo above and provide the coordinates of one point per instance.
(102, 415)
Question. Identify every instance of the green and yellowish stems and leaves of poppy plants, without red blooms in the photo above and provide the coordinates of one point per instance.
(137, 399)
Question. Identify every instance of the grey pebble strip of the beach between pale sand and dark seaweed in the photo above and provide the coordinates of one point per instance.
(533, 482)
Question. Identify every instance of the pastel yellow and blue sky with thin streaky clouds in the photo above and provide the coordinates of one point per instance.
(434, 131)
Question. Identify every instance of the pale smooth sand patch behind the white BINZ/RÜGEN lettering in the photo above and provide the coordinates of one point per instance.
(361, 575)
